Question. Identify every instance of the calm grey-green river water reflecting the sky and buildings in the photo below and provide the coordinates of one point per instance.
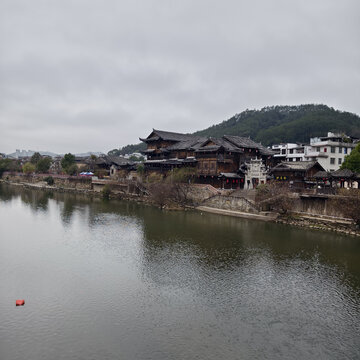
(116, 280)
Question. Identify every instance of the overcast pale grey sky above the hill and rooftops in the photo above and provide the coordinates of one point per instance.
(80, 75)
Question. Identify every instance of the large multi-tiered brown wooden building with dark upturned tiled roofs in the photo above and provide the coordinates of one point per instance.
(218, 161)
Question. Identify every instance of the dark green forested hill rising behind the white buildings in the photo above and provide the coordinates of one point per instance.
(277, 124)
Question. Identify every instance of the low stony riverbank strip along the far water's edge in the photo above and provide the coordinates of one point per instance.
(304, 220)
